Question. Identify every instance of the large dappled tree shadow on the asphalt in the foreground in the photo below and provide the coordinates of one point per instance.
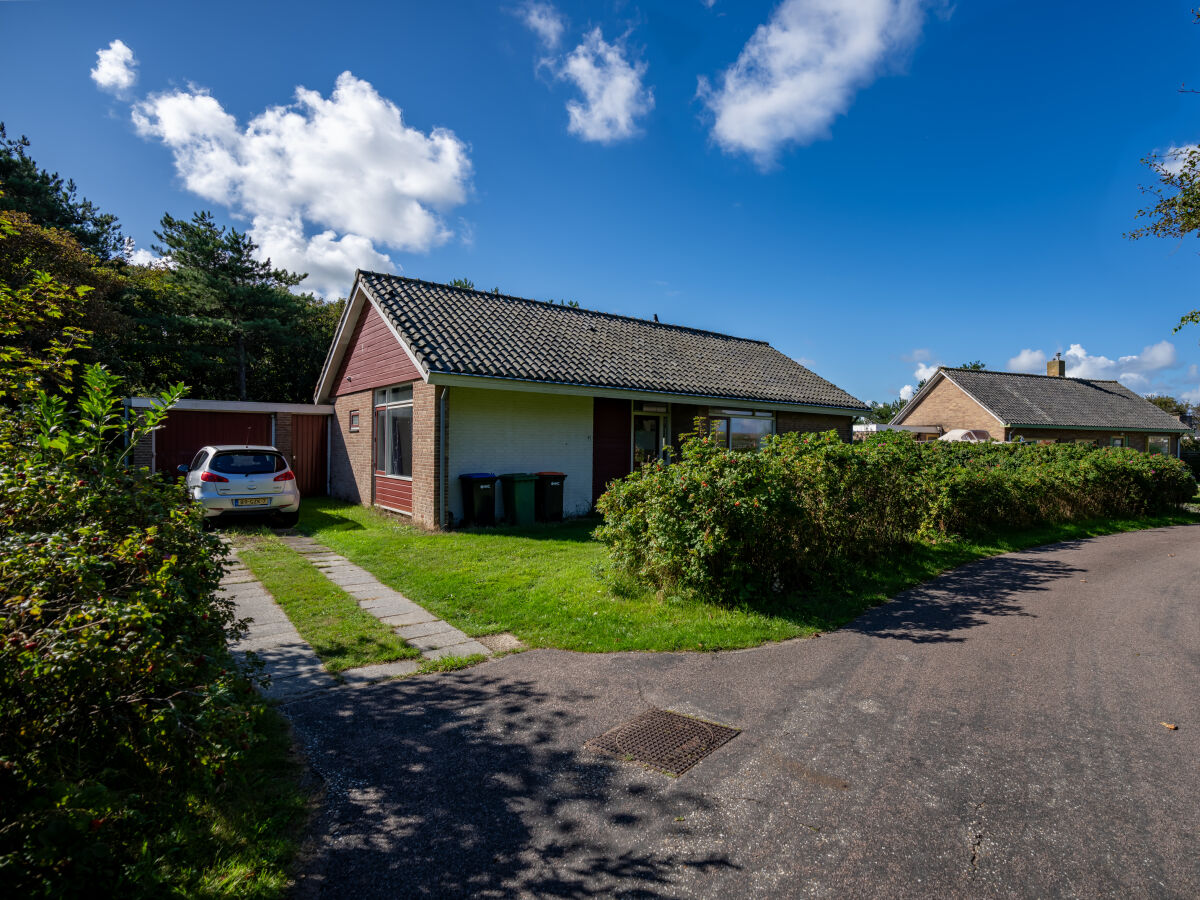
(464, 787)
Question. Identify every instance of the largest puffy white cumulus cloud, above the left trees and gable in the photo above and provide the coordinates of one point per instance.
(347, 167)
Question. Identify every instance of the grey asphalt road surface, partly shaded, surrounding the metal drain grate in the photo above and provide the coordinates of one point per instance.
(993, 734)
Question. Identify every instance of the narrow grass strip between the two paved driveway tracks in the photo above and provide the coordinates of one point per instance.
(341, 633)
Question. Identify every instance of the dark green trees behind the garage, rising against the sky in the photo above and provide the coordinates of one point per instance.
(212, 315)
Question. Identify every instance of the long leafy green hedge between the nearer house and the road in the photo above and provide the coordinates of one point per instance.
(741, 525)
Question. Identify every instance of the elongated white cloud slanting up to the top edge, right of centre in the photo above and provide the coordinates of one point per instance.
(801, 70)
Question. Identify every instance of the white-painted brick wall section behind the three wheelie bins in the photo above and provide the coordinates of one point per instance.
(518, 431)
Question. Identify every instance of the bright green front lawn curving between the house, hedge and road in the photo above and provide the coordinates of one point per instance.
(551, 587)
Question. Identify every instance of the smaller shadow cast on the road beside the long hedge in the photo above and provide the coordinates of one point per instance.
(965, 598)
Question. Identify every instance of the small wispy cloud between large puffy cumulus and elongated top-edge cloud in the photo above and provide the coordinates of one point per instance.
(614, 94)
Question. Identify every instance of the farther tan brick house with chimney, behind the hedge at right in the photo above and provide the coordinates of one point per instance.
(1011, 406)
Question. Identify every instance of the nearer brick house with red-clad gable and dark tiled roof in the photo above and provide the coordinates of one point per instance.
(430, 382)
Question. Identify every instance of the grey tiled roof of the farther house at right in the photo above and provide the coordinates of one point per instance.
(1052, 401)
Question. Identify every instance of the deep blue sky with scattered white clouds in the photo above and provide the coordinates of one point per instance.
(874, 187)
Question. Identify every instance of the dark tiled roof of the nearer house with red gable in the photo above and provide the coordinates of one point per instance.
(472, 333)
